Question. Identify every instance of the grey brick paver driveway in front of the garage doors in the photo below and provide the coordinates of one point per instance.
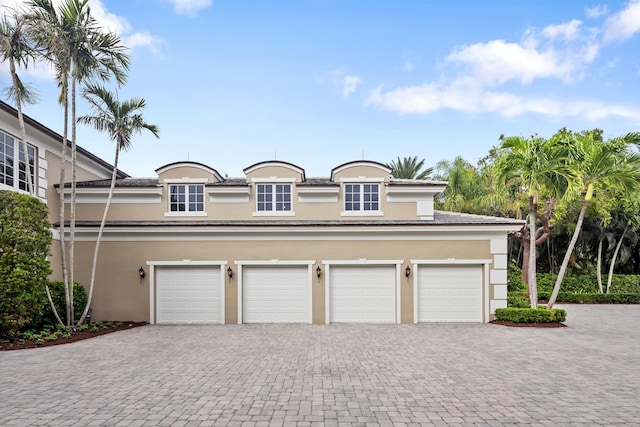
(585, 374)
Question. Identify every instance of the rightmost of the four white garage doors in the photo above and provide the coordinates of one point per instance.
(450, 293)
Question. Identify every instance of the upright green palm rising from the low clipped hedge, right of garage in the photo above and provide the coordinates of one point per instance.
(533, 166)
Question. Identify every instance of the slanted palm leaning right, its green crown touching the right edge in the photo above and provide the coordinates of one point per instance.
(595, 162)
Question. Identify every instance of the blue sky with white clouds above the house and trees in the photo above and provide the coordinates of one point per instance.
(321, 82)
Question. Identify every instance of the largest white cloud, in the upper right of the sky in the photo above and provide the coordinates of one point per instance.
(473, 77)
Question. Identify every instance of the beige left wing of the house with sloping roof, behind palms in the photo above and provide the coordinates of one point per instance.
(45, 152)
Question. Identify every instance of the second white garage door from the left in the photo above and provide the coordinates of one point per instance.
(275, 294)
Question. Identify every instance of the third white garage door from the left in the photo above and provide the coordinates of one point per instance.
(363, 294)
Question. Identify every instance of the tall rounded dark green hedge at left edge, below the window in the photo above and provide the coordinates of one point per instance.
(24, 245)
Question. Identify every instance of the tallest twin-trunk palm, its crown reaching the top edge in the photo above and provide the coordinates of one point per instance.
(70, 38)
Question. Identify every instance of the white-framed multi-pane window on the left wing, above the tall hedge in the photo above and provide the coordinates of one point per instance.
(12, 174)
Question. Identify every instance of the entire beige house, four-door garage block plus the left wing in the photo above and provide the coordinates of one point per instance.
(190, 246)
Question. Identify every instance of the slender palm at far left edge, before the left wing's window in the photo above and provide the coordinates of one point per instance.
(16, 49)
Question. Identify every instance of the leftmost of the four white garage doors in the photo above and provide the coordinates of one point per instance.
(188, 295)
